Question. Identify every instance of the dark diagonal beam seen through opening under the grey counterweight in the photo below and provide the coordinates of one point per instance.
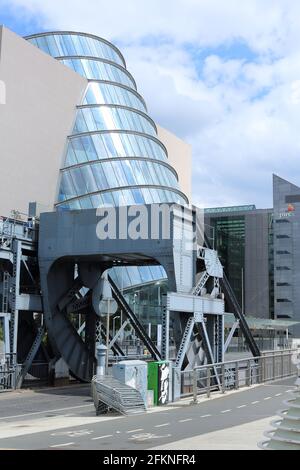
(117, 295)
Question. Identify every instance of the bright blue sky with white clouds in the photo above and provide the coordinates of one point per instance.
(224, 76)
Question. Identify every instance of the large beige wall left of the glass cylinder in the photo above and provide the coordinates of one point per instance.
(41, 98)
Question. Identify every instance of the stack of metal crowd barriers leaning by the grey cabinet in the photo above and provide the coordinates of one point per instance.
(108, 392)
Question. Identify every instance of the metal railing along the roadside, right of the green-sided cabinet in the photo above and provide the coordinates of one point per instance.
(232, 375)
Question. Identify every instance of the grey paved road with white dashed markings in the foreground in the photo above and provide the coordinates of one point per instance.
(65, 419)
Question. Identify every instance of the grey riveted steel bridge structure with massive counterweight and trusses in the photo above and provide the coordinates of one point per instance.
(66, 269)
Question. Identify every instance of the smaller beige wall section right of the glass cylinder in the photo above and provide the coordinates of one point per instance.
(180, 157)
